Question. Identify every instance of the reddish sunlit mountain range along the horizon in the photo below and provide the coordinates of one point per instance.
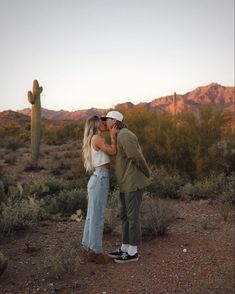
(220, 97)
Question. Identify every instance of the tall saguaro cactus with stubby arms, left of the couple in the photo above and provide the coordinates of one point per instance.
(34, 99)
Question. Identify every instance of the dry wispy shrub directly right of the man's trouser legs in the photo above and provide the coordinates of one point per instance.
(156, 217)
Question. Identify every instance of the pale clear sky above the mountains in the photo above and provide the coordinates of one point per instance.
(97, 53)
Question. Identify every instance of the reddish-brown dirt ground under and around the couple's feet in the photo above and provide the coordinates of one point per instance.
(197, 256)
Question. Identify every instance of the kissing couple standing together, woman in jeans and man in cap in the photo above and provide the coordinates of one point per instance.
(132, 174)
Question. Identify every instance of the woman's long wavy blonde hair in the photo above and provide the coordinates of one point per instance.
(91, 128)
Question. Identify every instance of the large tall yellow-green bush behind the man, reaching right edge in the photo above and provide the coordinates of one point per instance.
(194, 144)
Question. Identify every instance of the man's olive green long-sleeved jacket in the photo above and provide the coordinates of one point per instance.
(132, 171)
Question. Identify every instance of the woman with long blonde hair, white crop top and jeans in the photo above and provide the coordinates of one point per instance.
(96, 153)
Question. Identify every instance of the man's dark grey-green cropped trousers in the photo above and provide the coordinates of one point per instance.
(130, 207)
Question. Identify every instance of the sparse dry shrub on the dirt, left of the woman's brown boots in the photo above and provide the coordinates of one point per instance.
(64, 260)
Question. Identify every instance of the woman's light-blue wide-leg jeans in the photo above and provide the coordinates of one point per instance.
(98, 188)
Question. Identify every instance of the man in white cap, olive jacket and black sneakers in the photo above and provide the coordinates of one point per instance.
(132, 175)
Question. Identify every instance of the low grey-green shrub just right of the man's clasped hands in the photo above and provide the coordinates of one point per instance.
(165, 184)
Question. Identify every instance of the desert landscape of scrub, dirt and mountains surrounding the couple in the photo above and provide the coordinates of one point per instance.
(187, 212)
